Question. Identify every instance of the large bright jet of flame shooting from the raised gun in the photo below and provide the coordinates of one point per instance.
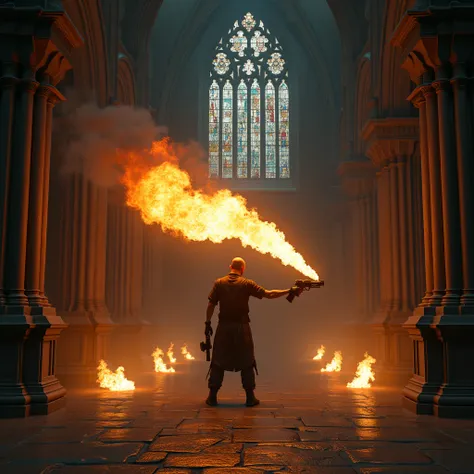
(164, 195)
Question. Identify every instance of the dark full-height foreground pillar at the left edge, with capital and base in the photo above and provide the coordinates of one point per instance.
(29, 326)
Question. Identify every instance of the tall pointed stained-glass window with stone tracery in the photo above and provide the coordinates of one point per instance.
(249, 105)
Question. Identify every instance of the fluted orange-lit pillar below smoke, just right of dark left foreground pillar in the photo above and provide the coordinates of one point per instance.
(83, 240)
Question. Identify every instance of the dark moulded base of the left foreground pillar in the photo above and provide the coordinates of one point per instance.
(28, 384)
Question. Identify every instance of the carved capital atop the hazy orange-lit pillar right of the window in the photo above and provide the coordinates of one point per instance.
(389, 138)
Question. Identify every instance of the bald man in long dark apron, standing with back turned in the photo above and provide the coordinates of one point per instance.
(233, 344)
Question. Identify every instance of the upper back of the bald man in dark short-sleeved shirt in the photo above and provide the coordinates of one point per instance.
(232, 292)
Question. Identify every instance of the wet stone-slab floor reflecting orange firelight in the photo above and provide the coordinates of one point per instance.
(306, 423)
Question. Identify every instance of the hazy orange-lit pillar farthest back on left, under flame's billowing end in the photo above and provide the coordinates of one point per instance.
(124, 279)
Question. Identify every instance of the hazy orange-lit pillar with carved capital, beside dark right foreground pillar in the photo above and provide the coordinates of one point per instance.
(392, 145)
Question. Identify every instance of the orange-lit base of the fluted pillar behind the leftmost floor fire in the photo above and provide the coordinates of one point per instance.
(82, 346)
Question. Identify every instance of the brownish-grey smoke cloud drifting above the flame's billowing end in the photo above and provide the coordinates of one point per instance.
(96, 142)
